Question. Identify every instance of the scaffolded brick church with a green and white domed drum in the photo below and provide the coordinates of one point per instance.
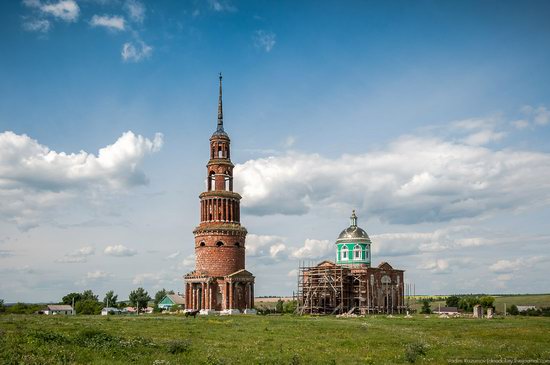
(351, 284)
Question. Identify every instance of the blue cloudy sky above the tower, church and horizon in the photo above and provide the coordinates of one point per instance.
(430, 118)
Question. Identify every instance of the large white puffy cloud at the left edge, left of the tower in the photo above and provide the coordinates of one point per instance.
(34, 179)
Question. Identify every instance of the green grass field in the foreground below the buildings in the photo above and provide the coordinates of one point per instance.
(169, 339)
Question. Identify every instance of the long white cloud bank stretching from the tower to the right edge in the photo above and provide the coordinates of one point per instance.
(413, 180)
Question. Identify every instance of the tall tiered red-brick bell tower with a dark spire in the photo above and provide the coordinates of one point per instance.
(219, 281)
